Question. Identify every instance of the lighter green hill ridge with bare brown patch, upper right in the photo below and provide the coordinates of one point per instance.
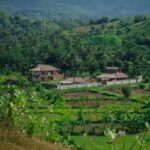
(112, 26)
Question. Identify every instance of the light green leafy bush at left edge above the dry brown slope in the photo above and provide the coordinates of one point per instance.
(10, 104)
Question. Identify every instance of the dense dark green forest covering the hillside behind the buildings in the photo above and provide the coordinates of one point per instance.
(76, 47)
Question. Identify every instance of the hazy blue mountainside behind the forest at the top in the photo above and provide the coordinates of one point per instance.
(86, 9)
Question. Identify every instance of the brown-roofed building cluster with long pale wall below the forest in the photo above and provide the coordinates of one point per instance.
(50, 74)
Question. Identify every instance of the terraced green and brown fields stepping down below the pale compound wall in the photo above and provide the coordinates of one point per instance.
(92, 111)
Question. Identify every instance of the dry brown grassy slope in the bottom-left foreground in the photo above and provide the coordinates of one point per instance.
(19, 141)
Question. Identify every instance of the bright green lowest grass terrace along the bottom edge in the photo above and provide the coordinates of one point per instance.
(101, 143)
